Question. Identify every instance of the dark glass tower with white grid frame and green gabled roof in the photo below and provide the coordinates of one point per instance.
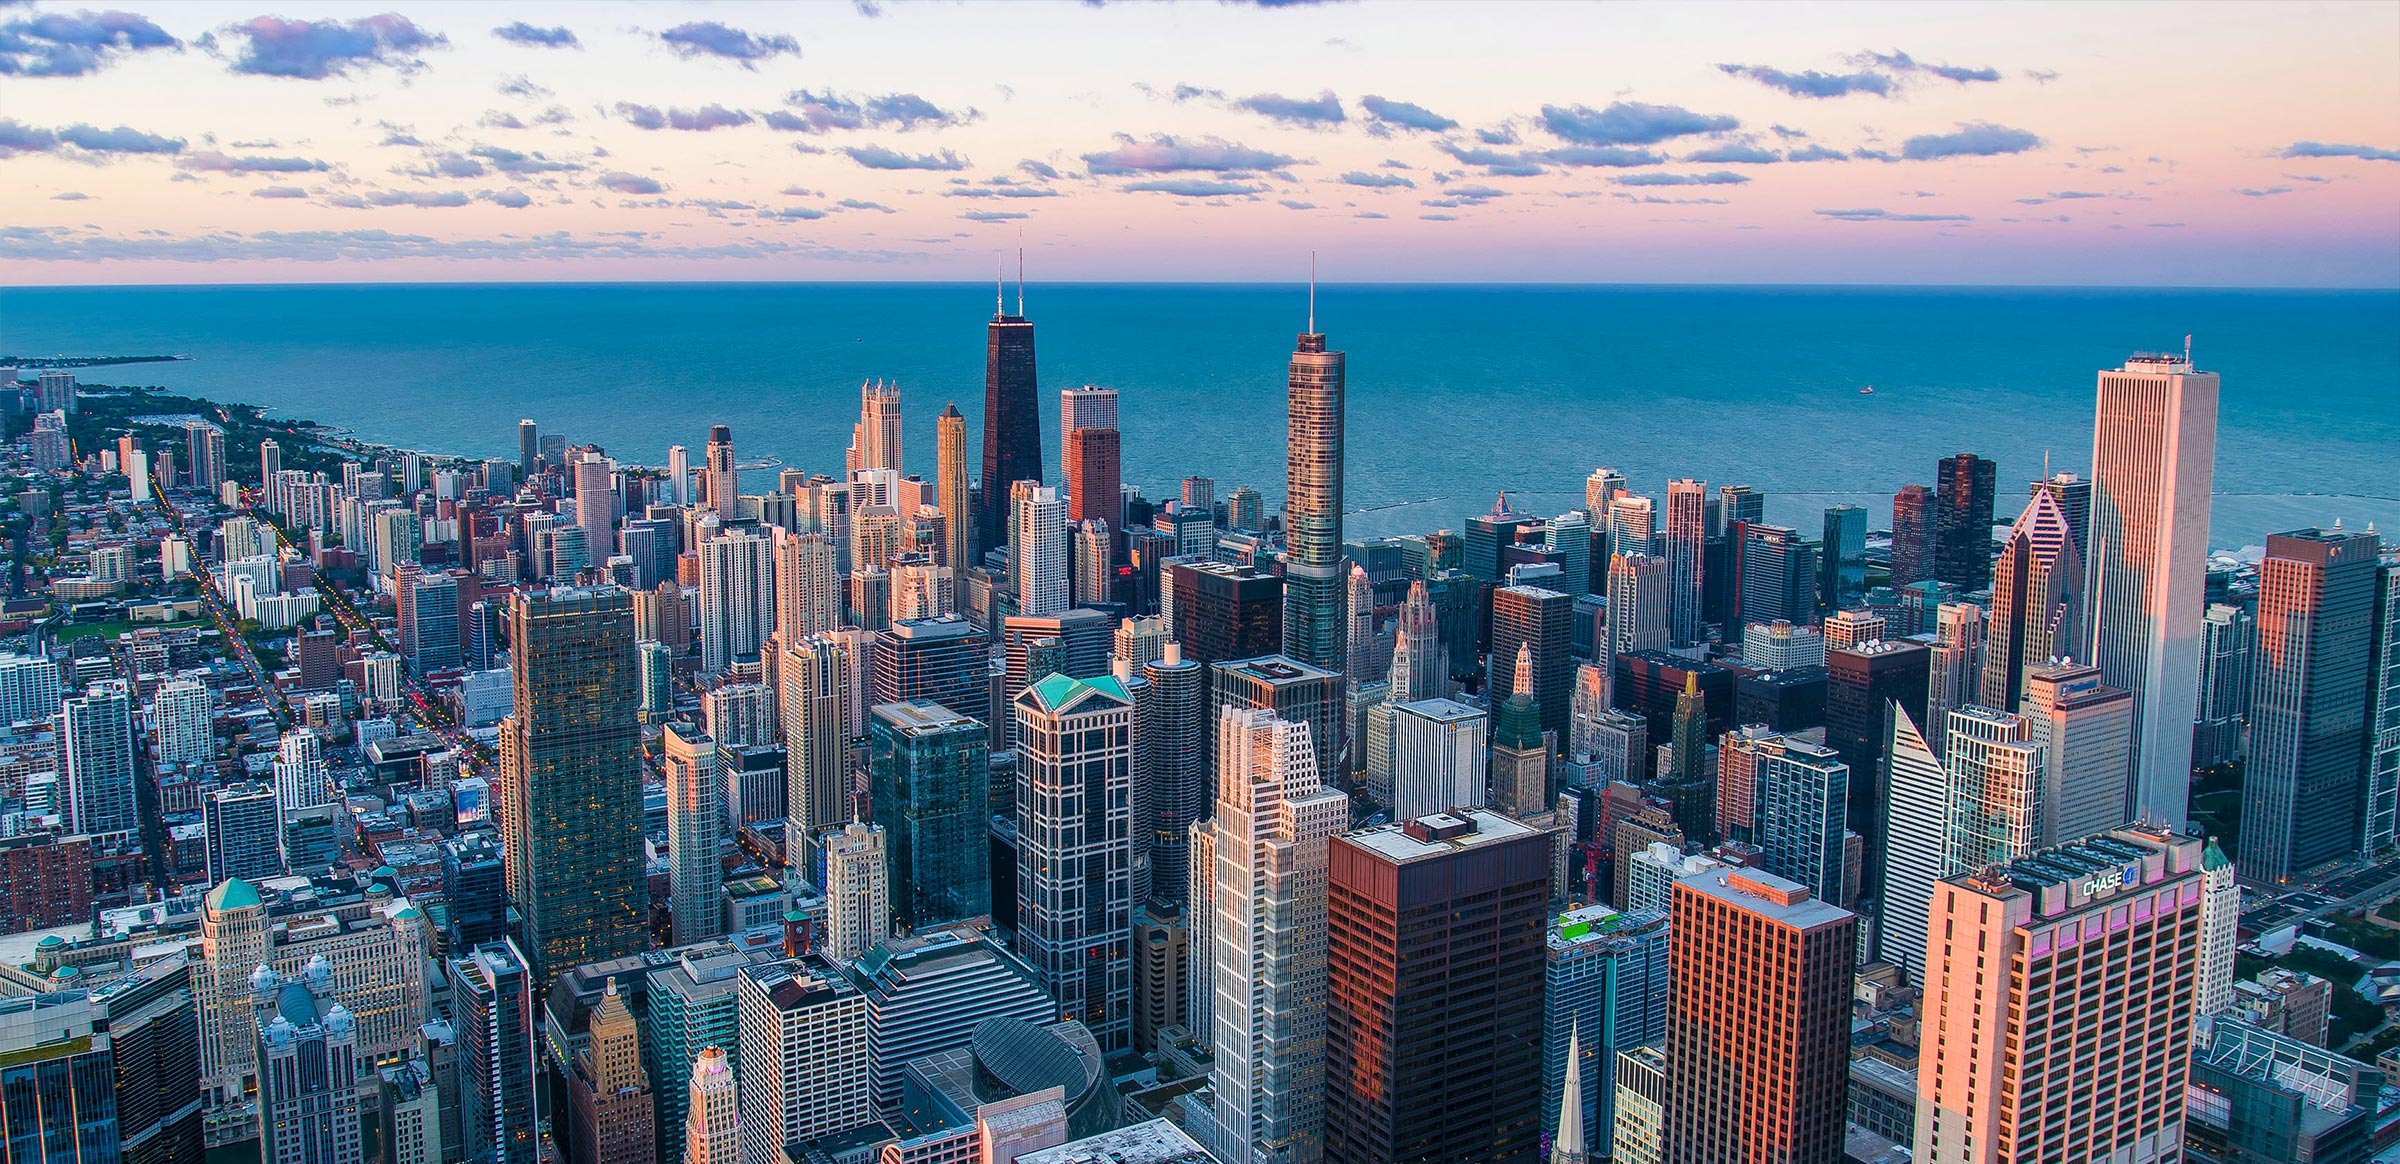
(1074, 853)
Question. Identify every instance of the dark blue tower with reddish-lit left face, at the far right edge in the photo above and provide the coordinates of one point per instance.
(2310, 700)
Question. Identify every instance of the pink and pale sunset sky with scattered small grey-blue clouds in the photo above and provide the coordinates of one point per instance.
(1199, 140)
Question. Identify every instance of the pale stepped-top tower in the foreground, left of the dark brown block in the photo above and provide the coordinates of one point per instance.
(1268, 937)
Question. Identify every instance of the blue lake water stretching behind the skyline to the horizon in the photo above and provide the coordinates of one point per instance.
(1456, 392)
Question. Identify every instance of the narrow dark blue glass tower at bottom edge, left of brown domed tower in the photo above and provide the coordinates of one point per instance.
(493, 1016)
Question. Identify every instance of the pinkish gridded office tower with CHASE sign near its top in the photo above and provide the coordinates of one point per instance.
(2094, 940)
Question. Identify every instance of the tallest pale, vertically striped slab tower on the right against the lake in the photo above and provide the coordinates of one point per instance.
(2154, 462)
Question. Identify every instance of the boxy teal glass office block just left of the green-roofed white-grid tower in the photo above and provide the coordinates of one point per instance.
(932, 796)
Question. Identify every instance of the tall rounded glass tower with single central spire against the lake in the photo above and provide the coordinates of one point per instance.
(1314, 628)
